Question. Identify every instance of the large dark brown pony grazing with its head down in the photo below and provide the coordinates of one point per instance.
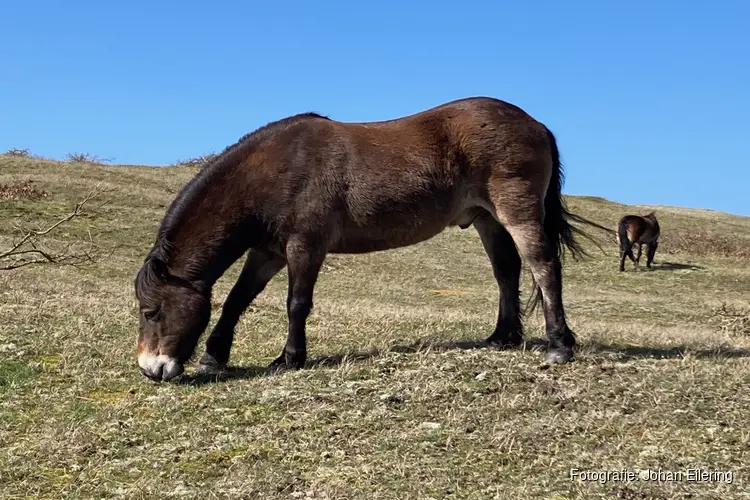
(305, 186)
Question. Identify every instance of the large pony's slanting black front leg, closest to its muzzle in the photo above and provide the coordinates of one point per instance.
(259, 268)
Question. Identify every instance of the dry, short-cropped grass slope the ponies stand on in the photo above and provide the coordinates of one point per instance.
(396, 403)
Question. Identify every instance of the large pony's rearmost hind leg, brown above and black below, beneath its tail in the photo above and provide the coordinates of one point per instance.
(523, 218)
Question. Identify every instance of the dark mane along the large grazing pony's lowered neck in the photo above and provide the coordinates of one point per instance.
(197, 186)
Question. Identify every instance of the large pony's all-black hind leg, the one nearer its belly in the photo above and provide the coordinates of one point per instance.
(506, 266)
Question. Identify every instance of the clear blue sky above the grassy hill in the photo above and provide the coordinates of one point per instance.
(650, 101)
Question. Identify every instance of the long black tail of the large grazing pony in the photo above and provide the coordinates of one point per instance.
(561, 234)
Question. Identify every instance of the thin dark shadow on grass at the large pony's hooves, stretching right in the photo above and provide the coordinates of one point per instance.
(620, 352)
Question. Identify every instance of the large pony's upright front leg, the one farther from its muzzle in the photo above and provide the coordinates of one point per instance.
(304, 259)
